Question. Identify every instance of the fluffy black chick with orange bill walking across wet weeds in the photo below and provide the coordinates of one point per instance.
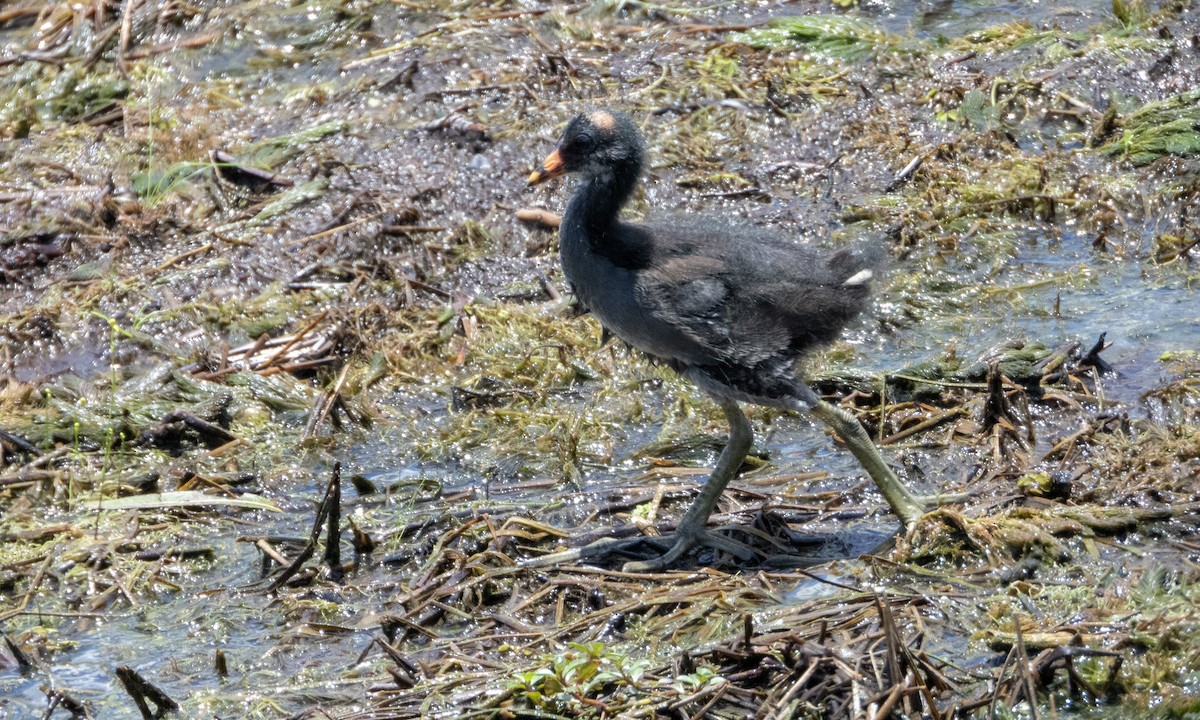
(730, 308)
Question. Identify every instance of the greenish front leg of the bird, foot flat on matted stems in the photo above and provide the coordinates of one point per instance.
(692, 531)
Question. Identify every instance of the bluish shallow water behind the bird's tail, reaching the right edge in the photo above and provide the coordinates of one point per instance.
(1144, 310)
